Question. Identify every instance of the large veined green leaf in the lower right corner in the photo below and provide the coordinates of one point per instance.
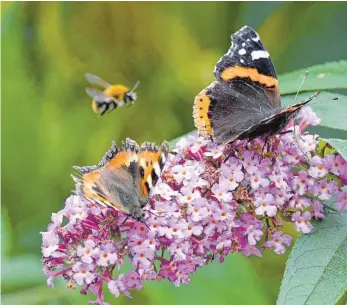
(316, 269)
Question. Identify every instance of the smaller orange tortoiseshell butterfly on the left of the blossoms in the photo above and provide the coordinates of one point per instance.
(124, 177)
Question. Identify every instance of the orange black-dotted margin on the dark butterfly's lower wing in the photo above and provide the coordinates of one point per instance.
(200, 113)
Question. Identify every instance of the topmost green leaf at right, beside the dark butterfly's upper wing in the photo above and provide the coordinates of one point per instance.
(331, 75)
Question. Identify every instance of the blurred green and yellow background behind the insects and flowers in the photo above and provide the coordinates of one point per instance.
(48, 125)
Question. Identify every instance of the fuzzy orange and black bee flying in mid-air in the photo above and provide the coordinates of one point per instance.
(111, 97)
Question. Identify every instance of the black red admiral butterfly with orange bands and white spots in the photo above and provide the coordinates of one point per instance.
(244, 101)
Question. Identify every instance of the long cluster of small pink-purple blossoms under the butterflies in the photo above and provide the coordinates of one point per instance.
(211, 201)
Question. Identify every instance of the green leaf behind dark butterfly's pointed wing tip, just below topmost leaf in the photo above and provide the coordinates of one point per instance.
(333, 113)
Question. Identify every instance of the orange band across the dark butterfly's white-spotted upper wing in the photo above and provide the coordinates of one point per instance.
(237, 71)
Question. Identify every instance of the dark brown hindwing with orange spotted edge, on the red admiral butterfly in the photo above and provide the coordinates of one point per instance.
(230, 109)
